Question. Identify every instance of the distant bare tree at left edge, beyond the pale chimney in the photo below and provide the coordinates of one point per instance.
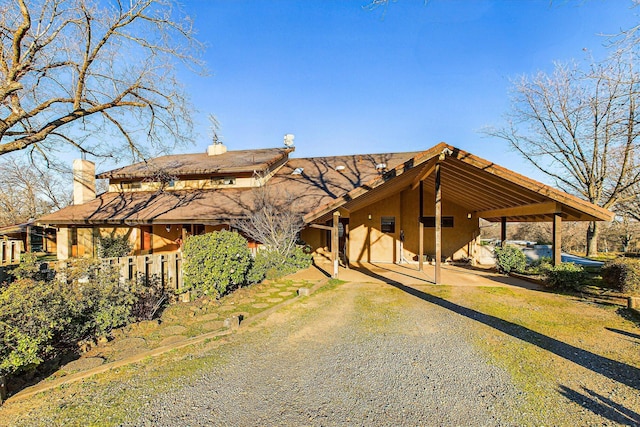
(27, 193)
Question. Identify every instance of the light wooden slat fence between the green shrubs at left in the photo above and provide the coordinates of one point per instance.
(164, 267)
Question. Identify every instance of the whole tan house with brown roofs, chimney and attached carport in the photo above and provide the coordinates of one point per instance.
(371, 207)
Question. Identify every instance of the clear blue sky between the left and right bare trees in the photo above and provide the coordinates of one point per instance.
(347, 80)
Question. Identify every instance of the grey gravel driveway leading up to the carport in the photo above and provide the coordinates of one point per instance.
(356, 355)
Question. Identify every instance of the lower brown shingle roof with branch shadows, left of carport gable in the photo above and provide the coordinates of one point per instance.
(318, 184)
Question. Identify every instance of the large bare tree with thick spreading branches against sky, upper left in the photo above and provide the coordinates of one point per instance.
(70, 69)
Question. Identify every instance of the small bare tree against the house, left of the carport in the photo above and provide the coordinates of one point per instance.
(272, 221)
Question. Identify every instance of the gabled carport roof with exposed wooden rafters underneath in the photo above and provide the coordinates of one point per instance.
(483, 188)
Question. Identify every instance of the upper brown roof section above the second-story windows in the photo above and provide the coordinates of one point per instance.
(231, 162)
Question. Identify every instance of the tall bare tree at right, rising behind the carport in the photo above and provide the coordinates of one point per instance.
(580, 128)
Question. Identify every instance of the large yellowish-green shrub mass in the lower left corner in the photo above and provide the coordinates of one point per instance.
(40, 319)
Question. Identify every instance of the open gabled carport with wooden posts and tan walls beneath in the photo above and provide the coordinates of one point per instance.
(428, 209)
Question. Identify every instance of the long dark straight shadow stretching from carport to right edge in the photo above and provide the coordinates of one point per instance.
(621, 372)
